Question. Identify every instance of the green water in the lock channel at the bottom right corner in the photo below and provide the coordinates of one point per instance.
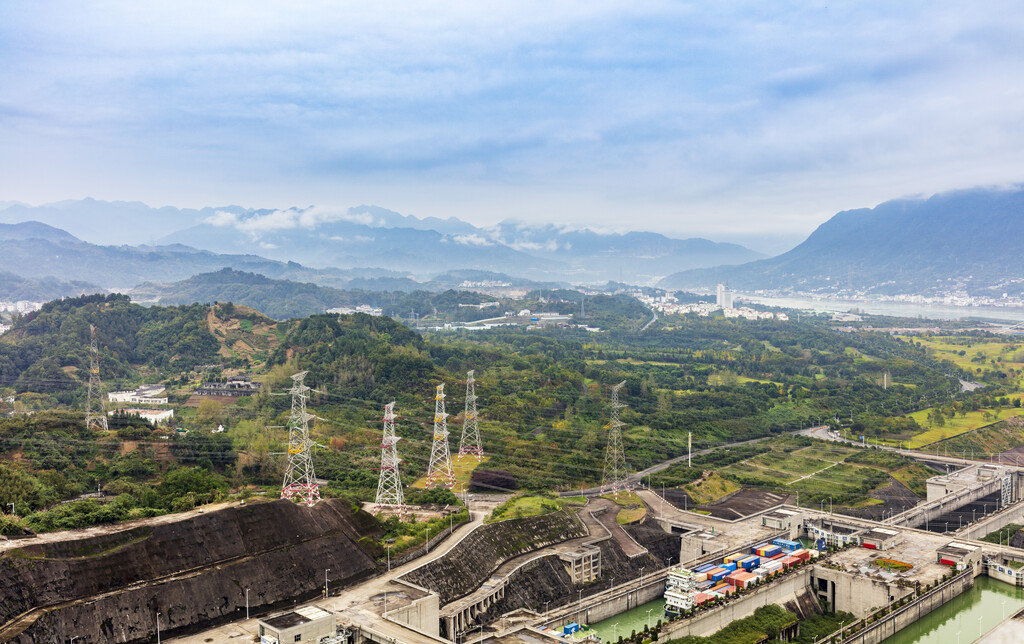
(990, 600)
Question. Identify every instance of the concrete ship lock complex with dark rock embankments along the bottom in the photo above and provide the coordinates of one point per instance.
(513, 581)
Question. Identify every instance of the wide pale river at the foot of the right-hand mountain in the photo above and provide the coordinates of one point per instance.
(899, 310)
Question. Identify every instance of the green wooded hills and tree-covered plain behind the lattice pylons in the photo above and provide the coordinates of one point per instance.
(543, 396)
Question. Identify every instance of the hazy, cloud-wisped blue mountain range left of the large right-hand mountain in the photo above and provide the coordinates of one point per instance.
(99, 242)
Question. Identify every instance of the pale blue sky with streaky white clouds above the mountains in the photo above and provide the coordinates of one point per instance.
(727, 120)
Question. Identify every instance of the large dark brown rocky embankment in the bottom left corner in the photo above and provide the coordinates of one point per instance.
(195, 573)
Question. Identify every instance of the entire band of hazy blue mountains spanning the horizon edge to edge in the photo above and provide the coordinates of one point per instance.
(956, 242)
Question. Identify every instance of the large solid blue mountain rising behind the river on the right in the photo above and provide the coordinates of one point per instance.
(963, 241)
